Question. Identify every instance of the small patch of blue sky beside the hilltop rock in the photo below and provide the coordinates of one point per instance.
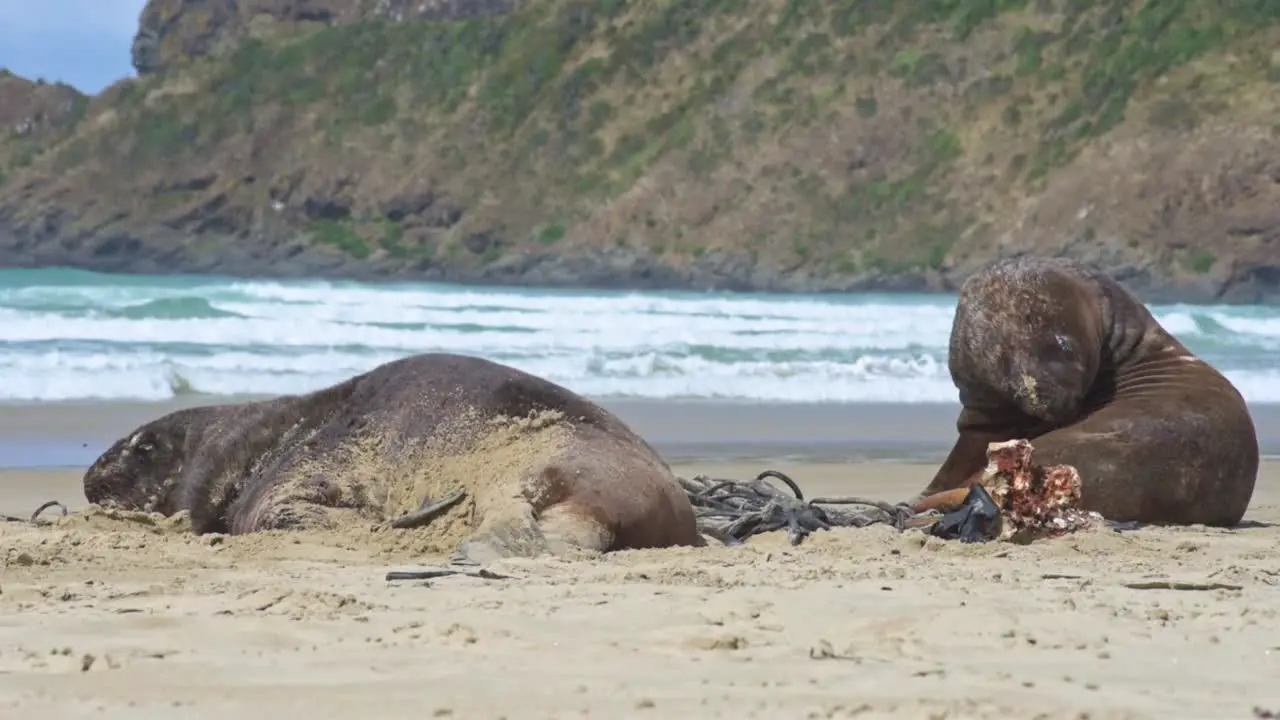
(83, 43)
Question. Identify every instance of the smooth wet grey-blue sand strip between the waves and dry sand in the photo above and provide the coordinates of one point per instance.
(74, 434)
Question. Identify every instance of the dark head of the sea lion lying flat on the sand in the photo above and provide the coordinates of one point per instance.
(139, 472)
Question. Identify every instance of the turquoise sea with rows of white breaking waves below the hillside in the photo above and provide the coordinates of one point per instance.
(67, 335)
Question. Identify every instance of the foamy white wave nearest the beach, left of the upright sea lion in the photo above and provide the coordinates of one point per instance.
(148, 376)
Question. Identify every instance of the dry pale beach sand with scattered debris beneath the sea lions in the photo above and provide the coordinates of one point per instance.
(125, 619)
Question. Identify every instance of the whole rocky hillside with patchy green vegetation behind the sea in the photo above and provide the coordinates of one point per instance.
(797, 145)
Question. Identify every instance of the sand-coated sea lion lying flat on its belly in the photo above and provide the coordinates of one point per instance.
(543, 468)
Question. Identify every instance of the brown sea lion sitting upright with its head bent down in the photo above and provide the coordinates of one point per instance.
(1055, 352)
